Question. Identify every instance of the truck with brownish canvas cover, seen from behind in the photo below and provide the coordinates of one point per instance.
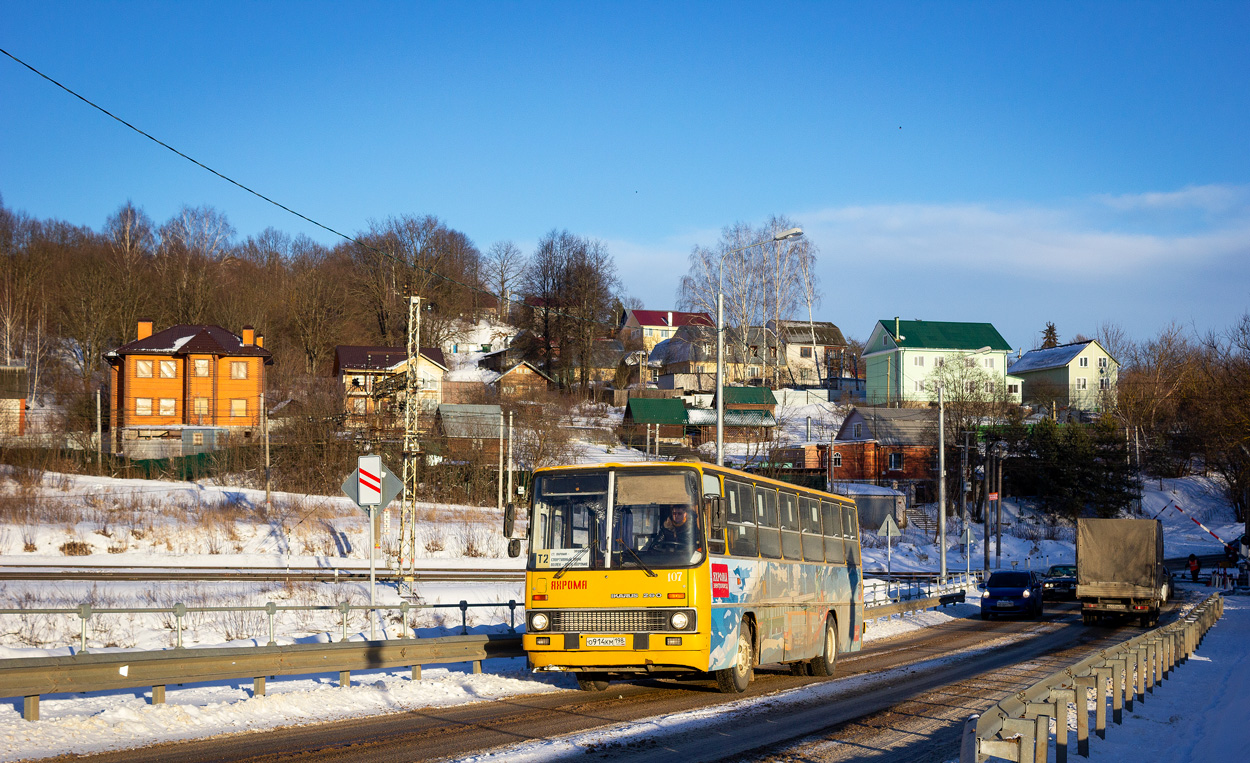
(1121, 570)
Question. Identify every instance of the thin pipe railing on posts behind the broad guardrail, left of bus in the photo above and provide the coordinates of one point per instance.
(179, 612)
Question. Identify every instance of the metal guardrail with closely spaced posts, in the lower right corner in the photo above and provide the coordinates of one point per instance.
(1018, 729)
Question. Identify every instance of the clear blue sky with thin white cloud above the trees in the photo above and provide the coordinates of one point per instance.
(1012, 163)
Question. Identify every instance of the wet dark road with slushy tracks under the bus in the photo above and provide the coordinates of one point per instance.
(884, 699)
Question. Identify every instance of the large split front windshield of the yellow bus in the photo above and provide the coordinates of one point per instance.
(656, 520)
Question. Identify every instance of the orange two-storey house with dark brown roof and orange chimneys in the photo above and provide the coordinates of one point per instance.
(187, 390)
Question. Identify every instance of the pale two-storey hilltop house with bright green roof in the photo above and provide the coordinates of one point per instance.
(901, 356)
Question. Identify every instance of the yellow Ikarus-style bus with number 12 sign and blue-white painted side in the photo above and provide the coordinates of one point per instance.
(687, 568)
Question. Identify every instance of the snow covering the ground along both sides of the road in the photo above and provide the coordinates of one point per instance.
(123, 720)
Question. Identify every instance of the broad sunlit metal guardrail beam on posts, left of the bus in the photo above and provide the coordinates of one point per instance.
(32, 677)
